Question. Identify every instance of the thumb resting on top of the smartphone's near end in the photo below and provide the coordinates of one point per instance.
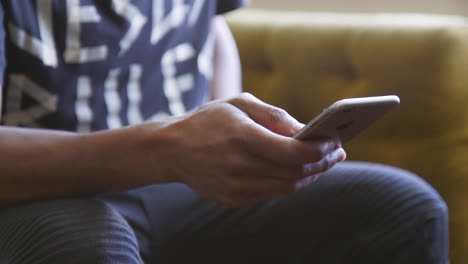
(273, 118)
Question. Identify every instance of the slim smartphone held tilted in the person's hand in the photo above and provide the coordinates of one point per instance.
(345, 119)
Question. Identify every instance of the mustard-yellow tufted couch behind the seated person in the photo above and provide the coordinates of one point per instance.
(304, 61)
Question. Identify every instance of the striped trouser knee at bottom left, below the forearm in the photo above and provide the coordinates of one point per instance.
(68, 231)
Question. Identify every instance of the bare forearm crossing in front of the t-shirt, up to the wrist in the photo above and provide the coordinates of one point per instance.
(38, 164)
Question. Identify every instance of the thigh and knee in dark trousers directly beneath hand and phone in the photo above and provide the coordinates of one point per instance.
(354, 207)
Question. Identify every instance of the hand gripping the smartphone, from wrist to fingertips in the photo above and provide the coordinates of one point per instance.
(240, 151)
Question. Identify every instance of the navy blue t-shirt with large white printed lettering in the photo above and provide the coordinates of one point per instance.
(87, 65)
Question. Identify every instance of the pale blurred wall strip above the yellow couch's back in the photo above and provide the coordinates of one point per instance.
(459, 7)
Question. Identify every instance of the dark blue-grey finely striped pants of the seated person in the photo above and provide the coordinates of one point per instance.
(355, 213)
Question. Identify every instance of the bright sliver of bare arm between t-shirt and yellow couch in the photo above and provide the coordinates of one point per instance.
(227, 80)
